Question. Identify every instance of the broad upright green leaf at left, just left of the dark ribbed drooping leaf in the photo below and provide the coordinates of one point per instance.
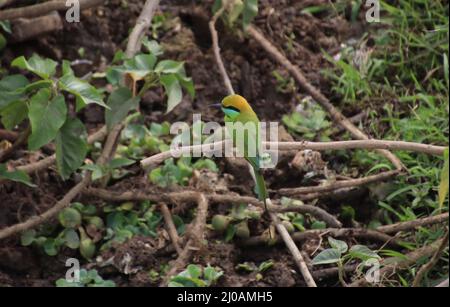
(47, 116)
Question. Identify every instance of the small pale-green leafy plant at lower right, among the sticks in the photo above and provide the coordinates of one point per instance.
(339, 254)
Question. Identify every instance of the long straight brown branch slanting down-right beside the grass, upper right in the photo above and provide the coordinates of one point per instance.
(335, 114)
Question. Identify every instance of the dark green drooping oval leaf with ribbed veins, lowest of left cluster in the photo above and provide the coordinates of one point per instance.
(71, 147)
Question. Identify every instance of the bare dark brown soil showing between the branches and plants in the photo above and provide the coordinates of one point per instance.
(104, 30)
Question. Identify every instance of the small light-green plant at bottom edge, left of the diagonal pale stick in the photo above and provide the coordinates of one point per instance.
(196, 276)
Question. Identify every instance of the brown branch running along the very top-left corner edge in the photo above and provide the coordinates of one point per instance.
(44, 8)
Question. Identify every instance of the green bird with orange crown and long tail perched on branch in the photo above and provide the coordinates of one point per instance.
(238, 110)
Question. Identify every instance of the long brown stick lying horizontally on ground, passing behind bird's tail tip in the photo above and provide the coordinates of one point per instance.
(190, 196)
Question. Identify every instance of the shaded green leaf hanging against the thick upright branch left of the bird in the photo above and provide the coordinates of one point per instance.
(120, 102)
